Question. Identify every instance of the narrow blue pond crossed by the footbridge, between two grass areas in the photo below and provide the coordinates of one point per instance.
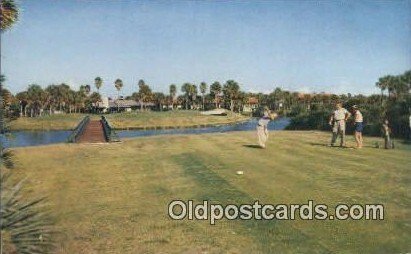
(36, 138)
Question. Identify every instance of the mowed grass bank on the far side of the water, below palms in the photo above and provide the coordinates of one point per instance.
(129, 120)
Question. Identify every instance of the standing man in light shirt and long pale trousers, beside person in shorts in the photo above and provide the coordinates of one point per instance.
(337, 121)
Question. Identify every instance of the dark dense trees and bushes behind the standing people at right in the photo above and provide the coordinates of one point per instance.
(394, 104)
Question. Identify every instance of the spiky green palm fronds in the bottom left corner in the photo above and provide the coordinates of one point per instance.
(25, 226)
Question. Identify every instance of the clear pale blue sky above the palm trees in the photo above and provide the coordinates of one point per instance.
(308, 46)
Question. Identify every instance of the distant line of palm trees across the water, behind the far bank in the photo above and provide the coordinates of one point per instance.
(36, 100)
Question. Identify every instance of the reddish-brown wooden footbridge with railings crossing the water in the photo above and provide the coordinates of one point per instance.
(93, 131)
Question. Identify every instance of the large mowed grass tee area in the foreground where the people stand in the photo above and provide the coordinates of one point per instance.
(113, 198)
